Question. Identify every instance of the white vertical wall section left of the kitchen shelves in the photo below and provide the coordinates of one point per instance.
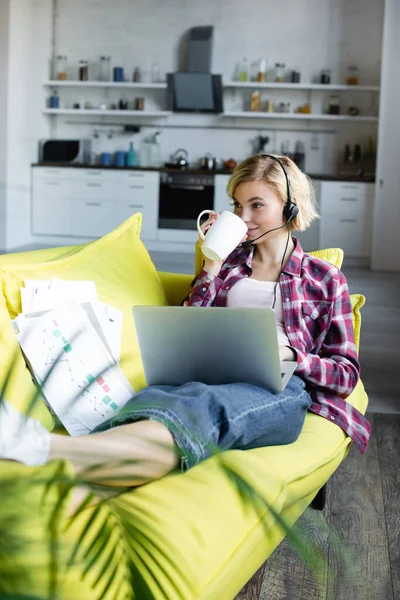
(28, 52)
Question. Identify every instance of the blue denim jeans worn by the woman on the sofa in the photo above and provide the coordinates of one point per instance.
(205, 418)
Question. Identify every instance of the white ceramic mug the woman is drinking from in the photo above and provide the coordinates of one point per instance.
(223, 236)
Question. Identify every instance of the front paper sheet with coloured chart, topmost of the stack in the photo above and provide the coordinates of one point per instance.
(85, 384)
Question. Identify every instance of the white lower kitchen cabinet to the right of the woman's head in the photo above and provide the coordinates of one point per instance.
(346, 217)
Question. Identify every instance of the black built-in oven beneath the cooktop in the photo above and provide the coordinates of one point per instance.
(182, 197)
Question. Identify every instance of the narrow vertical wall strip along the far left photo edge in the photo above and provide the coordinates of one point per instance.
(4, 26)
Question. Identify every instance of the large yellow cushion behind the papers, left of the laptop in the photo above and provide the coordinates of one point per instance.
(124, 275)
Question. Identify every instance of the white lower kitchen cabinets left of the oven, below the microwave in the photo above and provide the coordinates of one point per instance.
(91, 202)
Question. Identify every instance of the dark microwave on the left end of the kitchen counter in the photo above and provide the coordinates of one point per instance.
(65, 151)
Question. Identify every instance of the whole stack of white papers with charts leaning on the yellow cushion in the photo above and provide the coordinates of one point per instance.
(71, 342)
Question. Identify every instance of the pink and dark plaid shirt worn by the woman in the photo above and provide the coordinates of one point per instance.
(318, 322)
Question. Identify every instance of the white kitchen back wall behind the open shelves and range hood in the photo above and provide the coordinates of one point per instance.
(305, 34)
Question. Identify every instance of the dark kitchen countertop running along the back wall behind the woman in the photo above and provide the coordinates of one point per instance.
(198, 171)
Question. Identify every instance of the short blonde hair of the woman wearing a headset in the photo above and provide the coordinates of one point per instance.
(262, 168)
